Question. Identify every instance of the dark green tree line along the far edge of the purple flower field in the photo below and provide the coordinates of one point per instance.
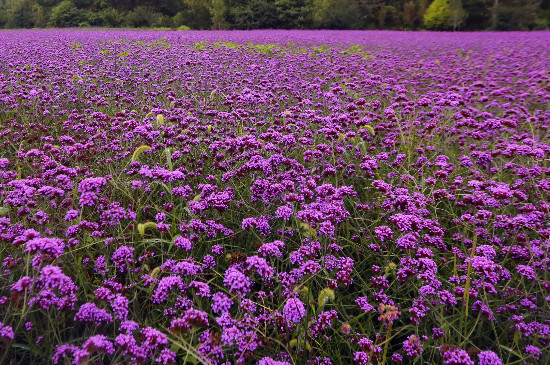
(279, 14)
